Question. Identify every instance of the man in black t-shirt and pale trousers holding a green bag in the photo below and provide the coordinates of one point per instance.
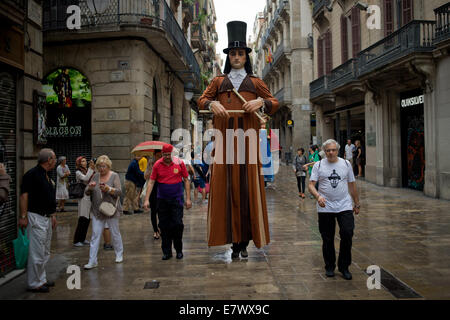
(37, 214)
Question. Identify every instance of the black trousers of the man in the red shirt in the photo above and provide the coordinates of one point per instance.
(170, 215)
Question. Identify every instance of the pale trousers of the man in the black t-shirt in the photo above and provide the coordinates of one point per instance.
(40, 235)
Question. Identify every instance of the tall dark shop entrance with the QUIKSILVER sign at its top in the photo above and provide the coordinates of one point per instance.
(413, 142)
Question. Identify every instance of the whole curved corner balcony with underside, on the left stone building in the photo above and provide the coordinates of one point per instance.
(152, 20)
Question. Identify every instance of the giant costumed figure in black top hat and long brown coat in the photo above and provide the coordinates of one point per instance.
(237, 209)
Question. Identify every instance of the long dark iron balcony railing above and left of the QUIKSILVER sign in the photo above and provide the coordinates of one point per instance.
(416, 36)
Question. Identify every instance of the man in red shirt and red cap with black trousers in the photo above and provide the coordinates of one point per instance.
(169, 174)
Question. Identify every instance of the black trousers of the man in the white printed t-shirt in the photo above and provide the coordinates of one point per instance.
(327, 227)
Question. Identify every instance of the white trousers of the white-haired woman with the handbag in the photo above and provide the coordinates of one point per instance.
(97, 230)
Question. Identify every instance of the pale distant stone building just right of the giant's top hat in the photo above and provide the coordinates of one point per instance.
(284, 35)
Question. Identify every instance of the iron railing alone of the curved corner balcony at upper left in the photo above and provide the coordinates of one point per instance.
(111, 15)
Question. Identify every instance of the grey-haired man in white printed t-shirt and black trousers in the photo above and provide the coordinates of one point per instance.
(337, 188)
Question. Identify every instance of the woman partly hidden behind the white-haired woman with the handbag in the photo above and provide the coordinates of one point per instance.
(83, 174)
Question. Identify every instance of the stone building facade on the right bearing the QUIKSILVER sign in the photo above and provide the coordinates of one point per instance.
(386, 86)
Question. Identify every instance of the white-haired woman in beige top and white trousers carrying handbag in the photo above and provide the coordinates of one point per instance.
(104, 187)
